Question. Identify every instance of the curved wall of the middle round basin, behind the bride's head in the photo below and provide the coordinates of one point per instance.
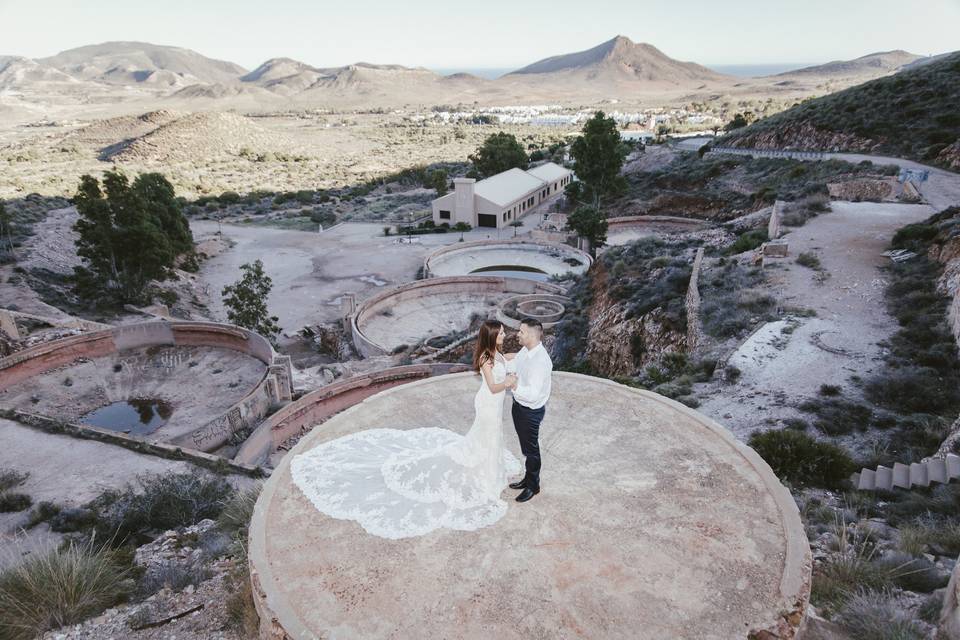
(480, 285)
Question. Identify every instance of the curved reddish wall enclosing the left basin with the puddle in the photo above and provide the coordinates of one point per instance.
(274, 387)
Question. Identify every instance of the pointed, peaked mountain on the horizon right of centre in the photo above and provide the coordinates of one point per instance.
(620, 60)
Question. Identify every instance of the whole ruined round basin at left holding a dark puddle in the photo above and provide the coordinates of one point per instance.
(217, 379)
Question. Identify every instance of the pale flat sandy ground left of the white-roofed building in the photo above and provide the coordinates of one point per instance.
(311, 271)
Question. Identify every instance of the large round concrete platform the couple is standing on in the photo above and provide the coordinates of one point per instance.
(653, 522)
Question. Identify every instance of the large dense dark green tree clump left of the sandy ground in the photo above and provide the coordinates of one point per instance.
(127, 235)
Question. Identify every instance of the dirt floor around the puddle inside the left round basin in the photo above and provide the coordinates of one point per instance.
(199, 383)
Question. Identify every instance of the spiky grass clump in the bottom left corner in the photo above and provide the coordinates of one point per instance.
(56, 588)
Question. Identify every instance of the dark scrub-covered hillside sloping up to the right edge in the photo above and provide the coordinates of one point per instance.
(910, 114)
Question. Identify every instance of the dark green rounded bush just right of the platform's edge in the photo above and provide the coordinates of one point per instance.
(802, 460)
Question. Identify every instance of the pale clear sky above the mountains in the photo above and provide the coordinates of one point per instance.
(489, 34)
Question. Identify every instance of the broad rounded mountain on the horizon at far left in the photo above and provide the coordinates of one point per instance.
(134, 63)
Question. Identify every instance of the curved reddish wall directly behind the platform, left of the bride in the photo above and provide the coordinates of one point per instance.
(301, 416)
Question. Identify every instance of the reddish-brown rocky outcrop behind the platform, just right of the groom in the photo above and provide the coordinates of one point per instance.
(618, 345)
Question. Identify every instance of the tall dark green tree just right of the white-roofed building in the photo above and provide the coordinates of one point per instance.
(599, 155)
